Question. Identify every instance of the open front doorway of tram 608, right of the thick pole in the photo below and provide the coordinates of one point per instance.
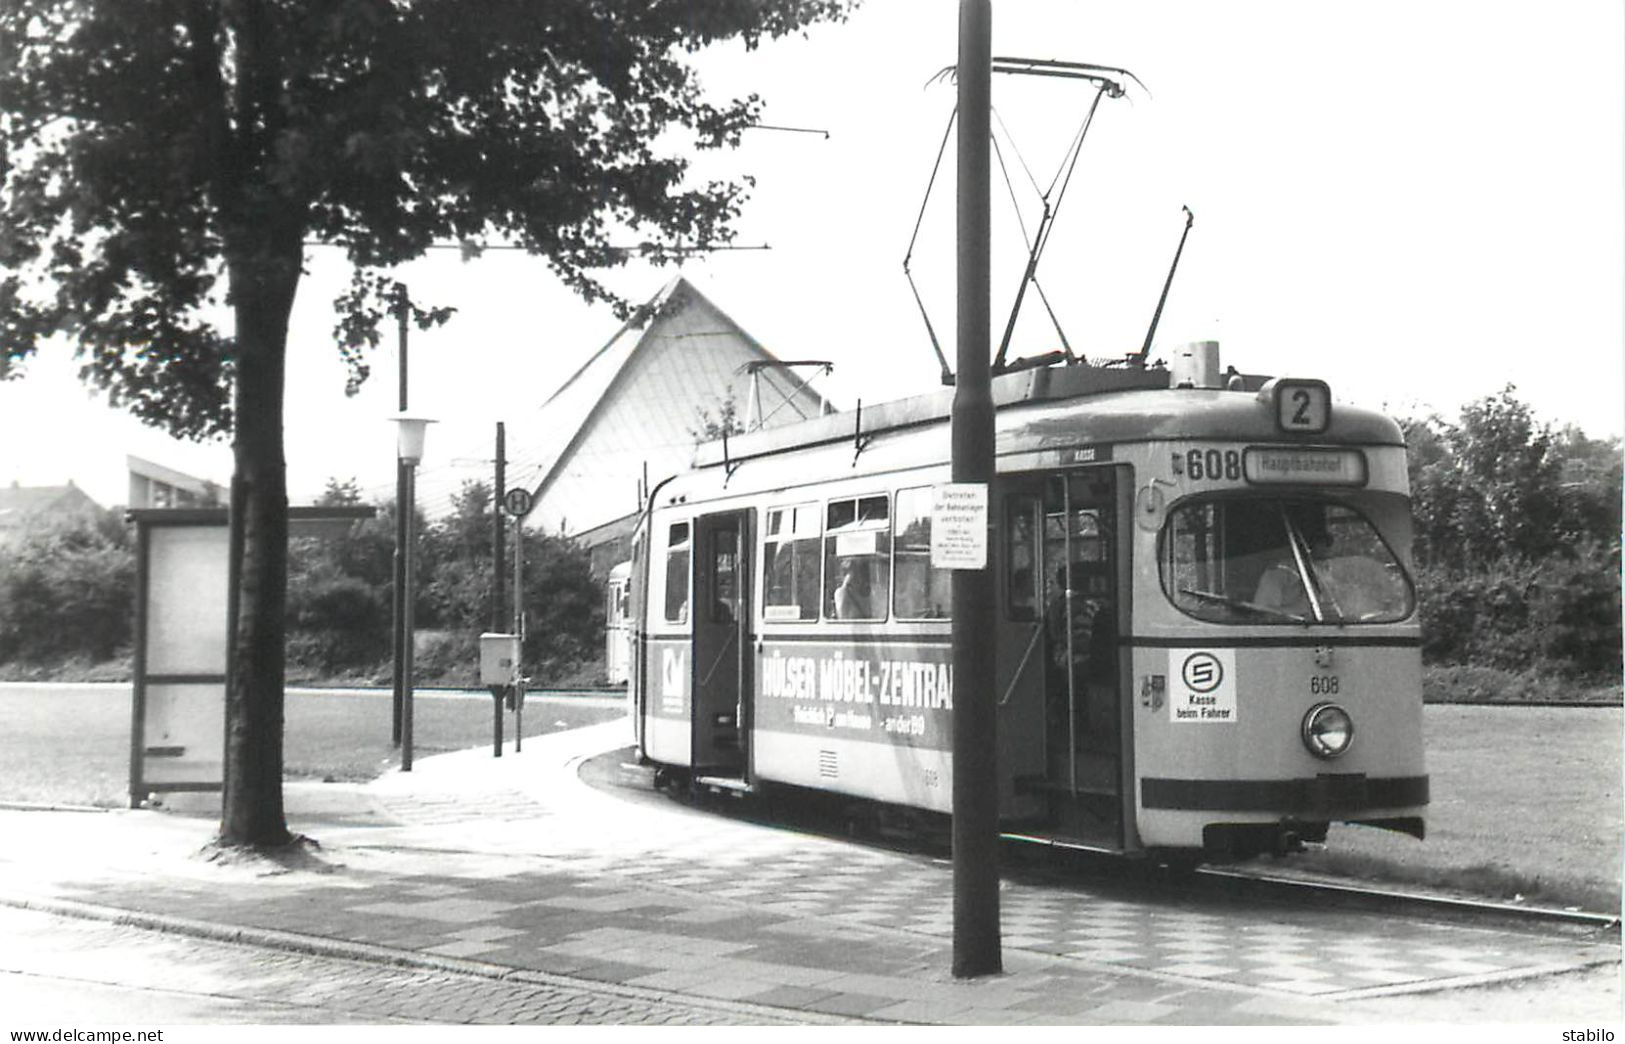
(1065, 606)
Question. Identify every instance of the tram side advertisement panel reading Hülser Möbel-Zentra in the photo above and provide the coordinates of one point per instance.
(901, 694)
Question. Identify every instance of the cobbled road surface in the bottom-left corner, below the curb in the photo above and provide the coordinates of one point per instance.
(64, 973)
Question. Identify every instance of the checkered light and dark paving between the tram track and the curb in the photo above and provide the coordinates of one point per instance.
(739, 907)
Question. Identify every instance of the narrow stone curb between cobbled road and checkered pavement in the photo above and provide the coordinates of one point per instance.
(371, 954)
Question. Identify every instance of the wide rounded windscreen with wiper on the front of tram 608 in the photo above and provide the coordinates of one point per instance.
(1281, 560)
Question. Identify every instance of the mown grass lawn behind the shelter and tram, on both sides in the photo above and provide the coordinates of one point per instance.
(1527, 801)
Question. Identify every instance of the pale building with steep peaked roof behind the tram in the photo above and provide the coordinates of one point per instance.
(635, 412)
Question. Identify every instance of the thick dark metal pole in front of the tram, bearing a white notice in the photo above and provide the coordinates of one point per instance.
(976, 716)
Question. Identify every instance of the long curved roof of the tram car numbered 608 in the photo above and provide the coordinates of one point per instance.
(1067, 406)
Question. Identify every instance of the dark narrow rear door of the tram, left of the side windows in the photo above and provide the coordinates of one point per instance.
(722, 638)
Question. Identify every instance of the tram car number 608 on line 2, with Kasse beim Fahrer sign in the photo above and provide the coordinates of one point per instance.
(1207, 630)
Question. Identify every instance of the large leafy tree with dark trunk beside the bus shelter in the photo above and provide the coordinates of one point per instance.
(168, 160)
